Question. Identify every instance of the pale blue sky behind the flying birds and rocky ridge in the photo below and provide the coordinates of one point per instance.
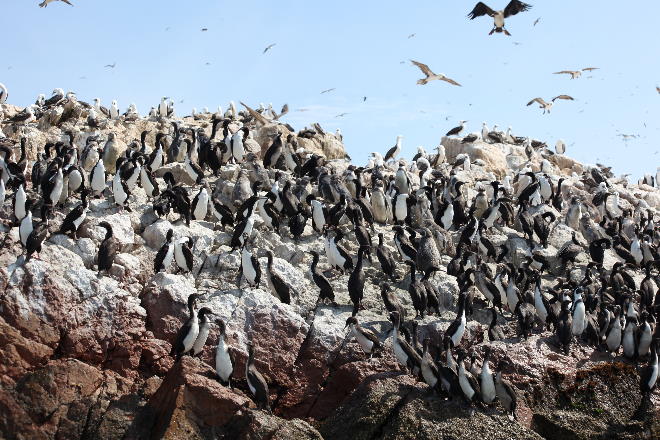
(361, 49)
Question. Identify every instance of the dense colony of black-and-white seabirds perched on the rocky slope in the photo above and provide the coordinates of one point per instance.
(423, 203)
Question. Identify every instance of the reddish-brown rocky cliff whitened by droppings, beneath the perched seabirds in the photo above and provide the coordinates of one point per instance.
(86, 355)
